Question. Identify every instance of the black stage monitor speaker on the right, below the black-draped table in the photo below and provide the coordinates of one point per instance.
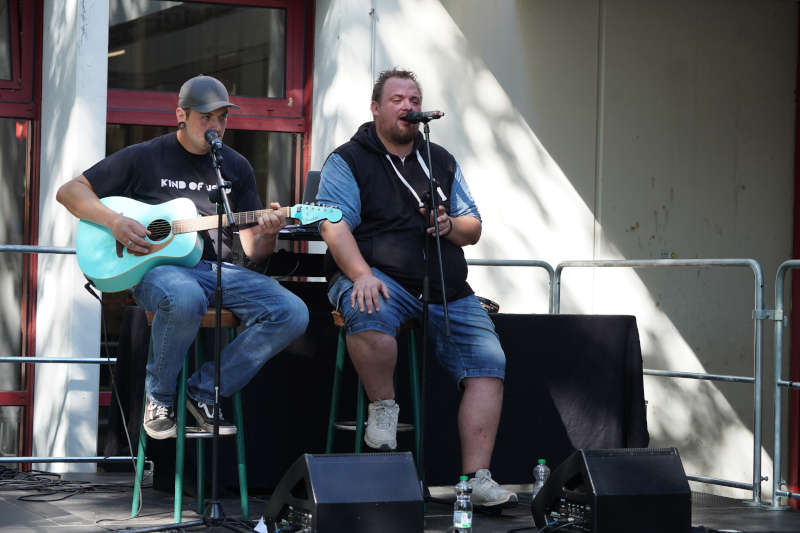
(631, 490)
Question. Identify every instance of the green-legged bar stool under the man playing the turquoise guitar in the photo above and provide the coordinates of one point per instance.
(229, 322)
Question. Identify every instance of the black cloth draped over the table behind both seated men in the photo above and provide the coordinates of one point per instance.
(572, 381)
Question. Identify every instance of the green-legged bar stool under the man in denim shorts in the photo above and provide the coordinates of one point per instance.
(358, 424)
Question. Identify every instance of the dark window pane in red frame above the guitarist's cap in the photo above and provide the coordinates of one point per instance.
(157, 45)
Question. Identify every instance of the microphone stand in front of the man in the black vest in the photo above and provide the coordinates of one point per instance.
(432, 208)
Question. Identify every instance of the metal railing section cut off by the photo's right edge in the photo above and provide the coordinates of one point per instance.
(779, 318)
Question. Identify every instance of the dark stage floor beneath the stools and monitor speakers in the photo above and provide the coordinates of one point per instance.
(104, 505)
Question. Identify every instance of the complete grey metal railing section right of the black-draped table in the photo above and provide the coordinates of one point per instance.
(756, 380)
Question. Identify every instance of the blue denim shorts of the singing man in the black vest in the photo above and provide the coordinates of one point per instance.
(473, 348)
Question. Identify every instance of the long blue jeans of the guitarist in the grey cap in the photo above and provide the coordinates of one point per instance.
(180, 296)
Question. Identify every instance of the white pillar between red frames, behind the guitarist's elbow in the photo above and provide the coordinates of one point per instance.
(68, 318)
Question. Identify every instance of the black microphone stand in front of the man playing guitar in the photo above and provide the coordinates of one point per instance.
(214, 514)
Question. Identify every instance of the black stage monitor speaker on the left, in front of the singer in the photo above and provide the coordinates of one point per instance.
(358, 493)
